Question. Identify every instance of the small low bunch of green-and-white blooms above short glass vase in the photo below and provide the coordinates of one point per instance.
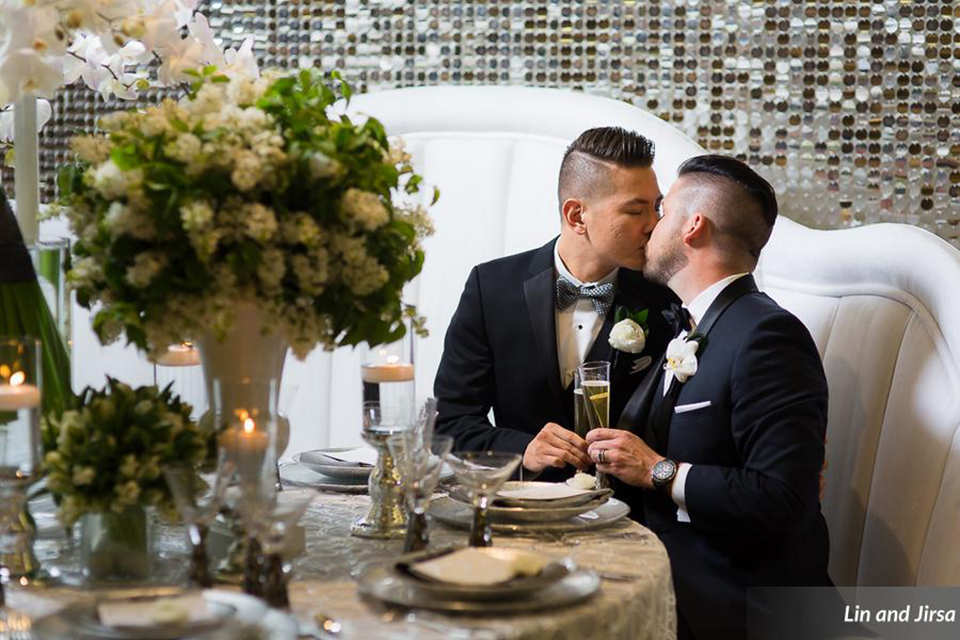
(106, 455)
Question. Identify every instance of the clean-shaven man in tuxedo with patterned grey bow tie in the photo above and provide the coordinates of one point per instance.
(526, 321)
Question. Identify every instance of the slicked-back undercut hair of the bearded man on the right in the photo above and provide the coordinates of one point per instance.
(741, 203)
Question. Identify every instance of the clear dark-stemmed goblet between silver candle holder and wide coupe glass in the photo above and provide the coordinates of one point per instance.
(419, 462)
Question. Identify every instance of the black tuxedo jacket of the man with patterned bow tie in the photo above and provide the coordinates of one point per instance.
(500, 352)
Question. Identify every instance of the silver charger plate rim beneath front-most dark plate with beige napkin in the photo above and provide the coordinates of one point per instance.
(382, 584)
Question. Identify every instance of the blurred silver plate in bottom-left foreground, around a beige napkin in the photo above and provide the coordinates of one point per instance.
(235, 611)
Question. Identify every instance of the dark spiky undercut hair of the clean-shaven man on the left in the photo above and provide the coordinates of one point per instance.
(583, 172)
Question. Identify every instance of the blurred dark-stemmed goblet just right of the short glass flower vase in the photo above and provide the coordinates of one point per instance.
(198, 497)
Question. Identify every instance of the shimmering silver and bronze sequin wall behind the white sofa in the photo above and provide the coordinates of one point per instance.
(849, 108)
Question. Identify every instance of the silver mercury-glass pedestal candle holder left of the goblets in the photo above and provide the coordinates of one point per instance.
(386, 518)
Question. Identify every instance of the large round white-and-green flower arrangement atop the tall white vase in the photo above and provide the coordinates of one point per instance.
(244, 191)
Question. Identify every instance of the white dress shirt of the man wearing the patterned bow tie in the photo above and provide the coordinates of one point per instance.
(577, 325)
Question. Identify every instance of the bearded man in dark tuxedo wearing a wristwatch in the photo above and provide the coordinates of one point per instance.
(725, 436)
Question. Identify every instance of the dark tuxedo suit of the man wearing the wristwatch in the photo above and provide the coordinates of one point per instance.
(756, 450)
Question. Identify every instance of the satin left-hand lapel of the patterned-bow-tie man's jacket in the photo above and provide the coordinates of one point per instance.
(539, 292)
